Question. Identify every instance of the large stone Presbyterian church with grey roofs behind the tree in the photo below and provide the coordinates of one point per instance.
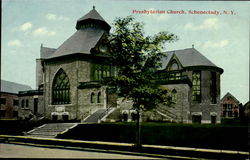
(68, 85)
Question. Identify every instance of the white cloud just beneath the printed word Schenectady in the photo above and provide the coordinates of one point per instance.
(209, 23)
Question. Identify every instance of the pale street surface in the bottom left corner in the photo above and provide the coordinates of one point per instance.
(24, 151)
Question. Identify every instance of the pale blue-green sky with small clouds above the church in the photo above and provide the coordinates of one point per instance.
(222, 38)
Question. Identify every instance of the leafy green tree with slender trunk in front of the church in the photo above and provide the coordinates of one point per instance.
(137, 58)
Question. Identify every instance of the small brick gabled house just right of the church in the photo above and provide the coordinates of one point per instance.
(229, 106)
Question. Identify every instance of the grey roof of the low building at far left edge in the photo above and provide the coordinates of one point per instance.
(12, 87)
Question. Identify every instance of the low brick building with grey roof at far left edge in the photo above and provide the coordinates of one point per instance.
(9, 99)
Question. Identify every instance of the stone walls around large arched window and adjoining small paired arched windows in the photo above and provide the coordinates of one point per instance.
(80, 105)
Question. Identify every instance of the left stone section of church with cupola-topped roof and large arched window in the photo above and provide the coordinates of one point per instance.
(70, 70)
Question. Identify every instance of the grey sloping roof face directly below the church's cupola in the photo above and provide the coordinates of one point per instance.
(80, 42)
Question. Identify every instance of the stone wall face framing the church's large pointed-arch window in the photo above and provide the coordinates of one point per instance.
(71, 68)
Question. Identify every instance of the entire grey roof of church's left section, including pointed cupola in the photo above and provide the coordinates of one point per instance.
(83, 40)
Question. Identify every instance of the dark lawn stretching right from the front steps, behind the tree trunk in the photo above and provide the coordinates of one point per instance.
(189, 135)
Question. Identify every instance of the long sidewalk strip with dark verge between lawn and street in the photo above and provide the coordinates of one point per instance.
(128, 148)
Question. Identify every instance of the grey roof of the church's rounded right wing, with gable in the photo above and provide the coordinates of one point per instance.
(189, 57)
